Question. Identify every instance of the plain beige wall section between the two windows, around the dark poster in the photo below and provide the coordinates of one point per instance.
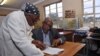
(75, 5)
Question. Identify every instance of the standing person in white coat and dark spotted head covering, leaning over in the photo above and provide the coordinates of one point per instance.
(15, 33)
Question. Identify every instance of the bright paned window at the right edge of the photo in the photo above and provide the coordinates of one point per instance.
(91, 12)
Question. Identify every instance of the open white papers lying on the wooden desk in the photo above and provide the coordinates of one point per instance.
(52, 50)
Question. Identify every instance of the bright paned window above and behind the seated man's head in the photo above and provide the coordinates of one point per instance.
(55, 8)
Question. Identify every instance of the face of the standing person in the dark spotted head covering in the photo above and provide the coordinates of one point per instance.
(32, 19)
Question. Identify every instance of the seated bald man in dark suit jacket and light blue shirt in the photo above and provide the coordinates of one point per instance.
(48, 35)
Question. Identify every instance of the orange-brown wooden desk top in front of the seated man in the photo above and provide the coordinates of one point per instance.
(70, 48)
